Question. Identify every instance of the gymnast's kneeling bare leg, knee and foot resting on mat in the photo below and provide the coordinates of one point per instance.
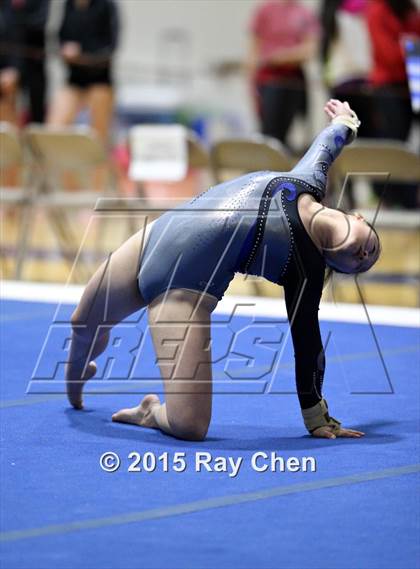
(180, 327)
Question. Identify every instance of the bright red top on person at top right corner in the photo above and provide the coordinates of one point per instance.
(386, 32)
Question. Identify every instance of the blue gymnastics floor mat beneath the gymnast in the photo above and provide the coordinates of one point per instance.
(359, 509)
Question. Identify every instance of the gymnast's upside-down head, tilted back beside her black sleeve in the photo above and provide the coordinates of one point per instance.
(353, 245)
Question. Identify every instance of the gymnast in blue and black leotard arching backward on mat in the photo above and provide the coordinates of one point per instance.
(270, 224)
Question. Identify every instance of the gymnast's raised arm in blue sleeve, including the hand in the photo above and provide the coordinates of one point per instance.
(314, 166)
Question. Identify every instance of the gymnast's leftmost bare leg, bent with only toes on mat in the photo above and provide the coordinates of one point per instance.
(111, 295)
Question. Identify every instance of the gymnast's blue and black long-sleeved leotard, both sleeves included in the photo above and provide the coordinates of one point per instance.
(252, 225)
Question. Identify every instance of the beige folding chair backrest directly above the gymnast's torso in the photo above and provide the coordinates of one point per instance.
(233, 157)
